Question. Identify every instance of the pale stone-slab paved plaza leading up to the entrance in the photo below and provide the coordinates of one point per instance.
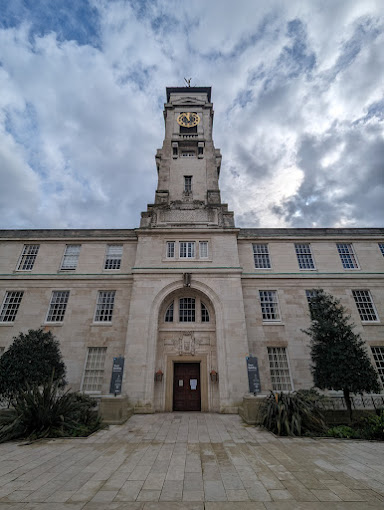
(191, 461)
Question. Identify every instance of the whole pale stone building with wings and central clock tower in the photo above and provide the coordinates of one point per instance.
(187, 296)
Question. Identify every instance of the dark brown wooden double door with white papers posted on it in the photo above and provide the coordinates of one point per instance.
(186, 387)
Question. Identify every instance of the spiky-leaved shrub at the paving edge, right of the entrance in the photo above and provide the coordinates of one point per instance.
(293, 414)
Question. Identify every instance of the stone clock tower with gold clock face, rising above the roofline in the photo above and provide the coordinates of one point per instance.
(188, 166)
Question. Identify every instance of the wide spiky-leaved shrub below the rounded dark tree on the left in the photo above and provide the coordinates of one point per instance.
(47, 411)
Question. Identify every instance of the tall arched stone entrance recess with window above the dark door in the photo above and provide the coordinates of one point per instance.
(186, 353)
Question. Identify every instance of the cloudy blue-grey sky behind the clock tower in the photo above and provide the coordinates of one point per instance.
(298, 92)
